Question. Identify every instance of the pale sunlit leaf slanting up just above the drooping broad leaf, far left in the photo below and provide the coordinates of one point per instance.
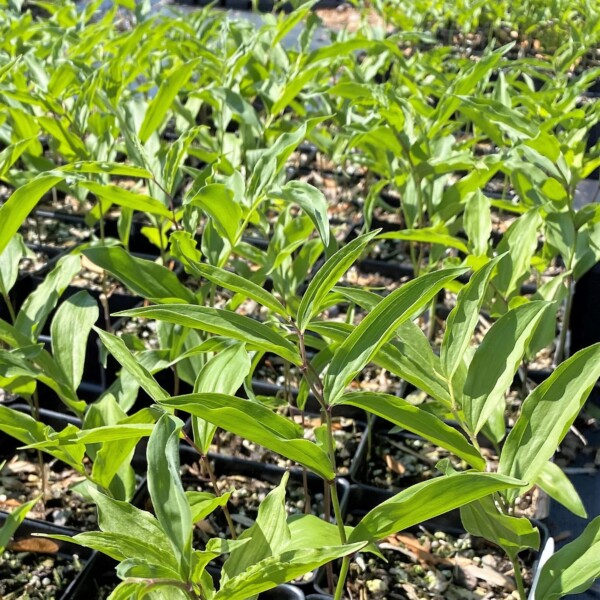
(35, 310)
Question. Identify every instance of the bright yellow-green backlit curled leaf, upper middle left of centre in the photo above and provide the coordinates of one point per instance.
(217, 201)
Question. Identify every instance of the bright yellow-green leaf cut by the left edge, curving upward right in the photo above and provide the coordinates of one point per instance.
(21, 202)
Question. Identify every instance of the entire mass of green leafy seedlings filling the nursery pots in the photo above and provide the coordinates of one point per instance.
(187, 130)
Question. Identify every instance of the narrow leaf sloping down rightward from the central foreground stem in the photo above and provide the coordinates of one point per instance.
(406, 415)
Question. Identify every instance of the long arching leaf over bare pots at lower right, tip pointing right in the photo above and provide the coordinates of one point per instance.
(426, 500)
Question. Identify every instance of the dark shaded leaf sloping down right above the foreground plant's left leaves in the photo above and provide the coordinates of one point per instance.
(143, 277)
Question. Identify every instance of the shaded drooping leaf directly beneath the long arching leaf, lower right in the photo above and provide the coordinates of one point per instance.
(512, 534)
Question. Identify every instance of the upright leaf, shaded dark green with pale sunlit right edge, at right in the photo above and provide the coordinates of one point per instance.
(496, 361)
